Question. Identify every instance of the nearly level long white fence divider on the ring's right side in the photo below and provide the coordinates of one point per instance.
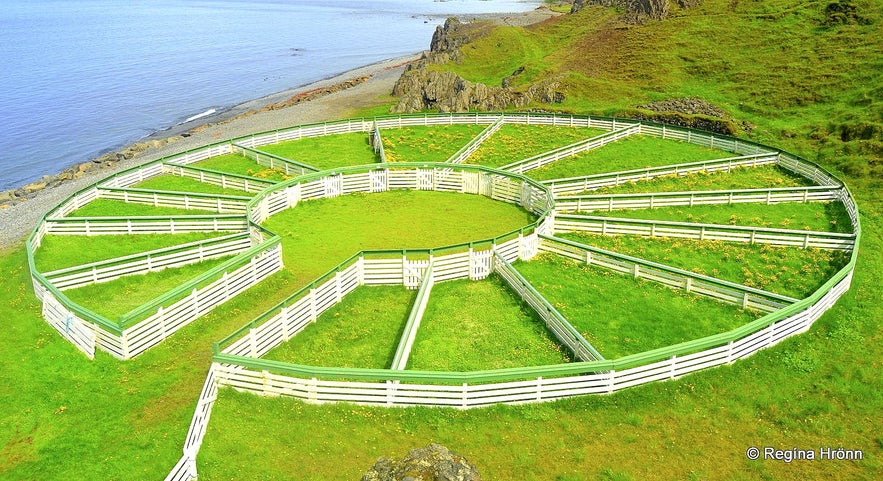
(585, 203)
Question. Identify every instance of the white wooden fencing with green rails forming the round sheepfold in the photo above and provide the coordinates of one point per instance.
(230, 207)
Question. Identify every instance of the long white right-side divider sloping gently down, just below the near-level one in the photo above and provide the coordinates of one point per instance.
(600, 225)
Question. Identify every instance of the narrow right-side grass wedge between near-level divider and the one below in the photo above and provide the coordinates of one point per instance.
(815, 216)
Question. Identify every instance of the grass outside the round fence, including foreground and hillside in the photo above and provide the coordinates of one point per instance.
(799, 82)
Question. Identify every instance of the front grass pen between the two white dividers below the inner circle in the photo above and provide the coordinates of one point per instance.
(478, 325)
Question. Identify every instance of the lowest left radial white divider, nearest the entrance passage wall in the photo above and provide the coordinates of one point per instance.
(150, 261)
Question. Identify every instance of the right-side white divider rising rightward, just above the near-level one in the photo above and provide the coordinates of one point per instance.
(575, 185)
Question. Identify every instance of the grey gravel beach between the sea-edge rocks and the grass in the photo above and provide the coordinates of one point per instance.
(19, 219)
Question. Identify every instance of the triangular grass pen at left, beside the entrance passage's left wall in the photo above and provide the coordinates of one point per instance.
(115, 298)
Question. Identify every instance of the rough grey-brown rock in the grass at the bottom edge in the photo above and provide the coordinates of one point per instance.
(432, 463)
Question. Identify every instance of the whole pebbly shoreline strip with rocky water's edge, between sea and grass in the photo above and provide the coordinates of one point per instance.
(331, 98)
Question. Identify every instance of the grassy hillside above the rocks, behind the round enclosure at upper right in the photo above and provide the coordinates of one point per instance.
(803, 73)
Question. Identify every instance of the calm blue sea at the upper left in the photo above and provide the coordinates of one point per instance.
(82, 77)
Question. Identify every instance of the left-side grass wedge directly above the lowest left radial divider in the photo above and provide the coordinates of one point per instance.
(60, 251)
